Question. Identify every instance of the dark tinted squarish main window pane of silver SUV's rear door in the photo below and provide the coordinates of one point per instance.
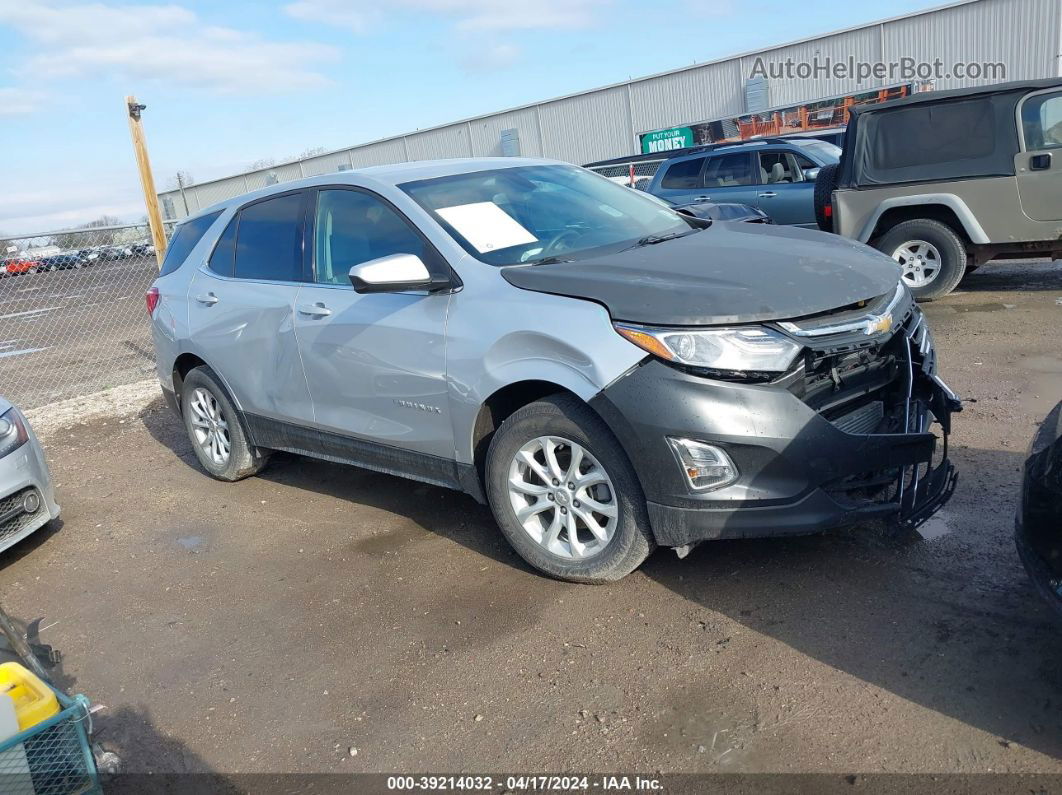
(269, 241)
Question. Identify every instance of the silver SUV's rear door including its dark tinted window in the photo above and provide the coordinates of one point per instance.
(242, 309)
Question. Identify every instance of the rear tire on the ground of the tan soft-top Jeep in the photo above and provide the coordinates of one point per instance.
(941, 246)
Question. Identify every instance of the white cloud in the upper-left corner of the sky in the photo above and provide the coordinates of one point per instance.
(165, 43)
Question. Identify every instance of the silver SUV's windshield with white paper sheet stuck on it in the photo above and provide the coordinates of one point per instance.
(529, 214)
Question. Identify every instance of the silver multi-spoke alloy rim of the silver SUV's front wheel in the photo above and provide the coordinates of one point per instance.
(563, 497)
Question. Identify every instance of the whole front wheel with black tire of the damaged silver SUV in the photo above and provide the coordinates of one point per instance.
(568, 421)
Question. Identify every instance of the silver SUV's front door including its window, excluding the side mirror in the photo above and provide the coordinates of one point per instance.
(375, 364)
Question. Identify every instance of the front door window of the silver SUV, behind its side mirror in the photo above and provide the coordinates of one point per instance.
(354, 228)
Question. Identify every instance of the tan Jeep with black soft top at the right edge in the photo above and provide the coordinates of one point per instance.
(945, 182)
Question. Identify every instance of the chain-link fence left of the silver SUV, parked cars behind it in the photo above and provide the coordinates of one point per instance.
(73, 314)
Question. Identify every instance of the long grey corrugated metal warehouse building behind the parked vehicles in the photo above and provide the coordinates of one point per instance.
(609, 123)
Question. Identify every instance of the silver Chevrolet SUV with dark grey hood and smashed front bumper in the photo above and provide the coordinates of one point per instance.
(608, 374)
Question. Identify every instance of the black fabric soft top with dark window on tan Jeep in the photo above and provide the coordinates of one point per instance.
(936, 135)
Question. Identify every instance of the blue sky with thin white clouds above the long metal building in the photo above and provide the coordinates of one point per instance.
(228, 83)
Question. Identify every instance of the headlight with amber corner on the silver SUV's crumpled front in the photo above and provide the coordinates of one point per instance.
(741, 351)
